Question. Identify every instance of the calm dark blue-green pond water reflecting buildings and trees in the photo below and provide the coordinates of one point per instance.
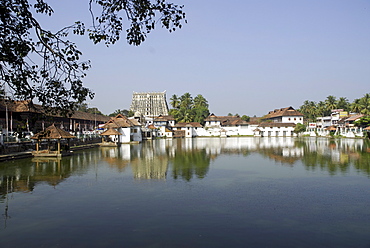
(204, 192)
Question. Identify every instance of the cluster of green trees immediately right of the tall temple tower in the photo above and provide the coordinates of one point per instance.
(187, 109)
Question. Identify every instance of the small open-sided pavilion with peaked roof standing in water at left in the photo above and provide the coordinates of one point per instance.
(52, 133)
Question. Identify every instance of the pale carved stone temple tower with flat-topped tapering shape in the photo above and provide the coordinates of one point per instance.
(149, 104)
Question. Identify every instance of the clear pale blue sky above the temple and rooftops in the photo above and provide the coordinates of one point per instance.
(245, 57)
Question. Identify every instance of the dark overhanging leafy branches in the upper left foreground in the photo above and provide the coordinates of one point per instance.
(37, 64)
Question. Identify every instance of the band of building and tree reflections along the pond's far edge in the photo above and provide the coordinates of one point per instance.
(186, 159)
